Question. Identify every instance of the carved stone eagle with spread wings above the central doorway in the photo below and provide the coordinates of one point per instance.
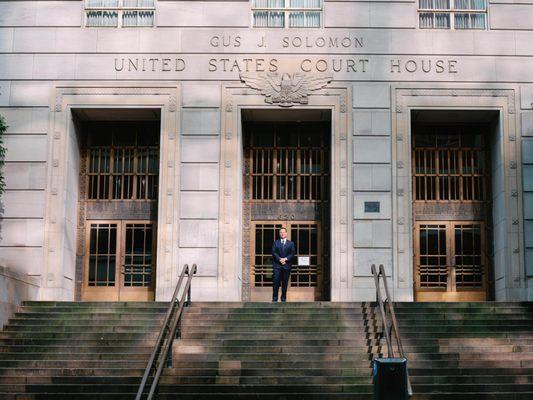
(286, 89)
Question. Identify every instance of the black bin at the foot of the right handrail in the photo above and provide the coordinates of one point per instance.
(390, 379)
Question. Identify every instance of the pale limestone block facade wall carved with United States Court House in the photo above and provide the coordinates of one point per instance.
(199, 46)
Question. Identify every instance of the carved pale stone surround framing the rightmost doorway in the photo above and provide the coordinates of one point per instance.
(416, 96)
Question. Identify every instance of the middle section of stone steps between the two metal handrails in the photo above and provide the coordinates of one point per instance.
(273, 351)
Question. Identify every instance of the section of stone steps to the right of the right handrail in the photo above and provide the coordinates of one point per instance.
(468, 350)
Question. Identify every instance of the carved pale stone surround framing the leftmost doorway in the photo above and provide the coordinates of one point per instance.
(60, 261)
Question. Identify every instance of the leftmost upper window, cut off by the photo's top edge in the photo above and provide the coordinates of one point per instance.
(119, 13)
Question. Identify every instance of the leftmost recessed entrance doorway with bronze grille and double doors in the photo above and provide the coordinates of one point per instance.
(119, 184)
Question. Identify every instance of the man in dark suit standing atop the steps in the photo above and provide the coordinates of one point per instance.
(283, 253)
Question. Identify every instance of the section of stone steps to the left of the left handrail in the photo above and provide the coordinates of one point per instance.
(70, 350)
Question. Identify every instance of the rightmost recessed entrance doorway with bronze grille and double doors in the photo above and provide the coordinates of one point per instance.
(452, 210)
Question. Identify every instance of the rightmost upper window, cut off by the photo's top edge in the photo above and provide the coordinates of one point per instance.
(452, 14)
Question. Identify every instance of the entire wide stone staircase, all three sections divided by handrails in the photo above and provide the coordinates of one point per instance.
(266, 351)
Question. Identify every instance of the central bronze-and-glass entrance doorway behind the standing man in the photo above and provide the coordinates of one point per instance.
(286, 184)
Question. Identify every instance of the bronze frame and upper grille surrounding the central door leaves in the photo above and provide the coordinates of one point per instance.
(304, 179)
